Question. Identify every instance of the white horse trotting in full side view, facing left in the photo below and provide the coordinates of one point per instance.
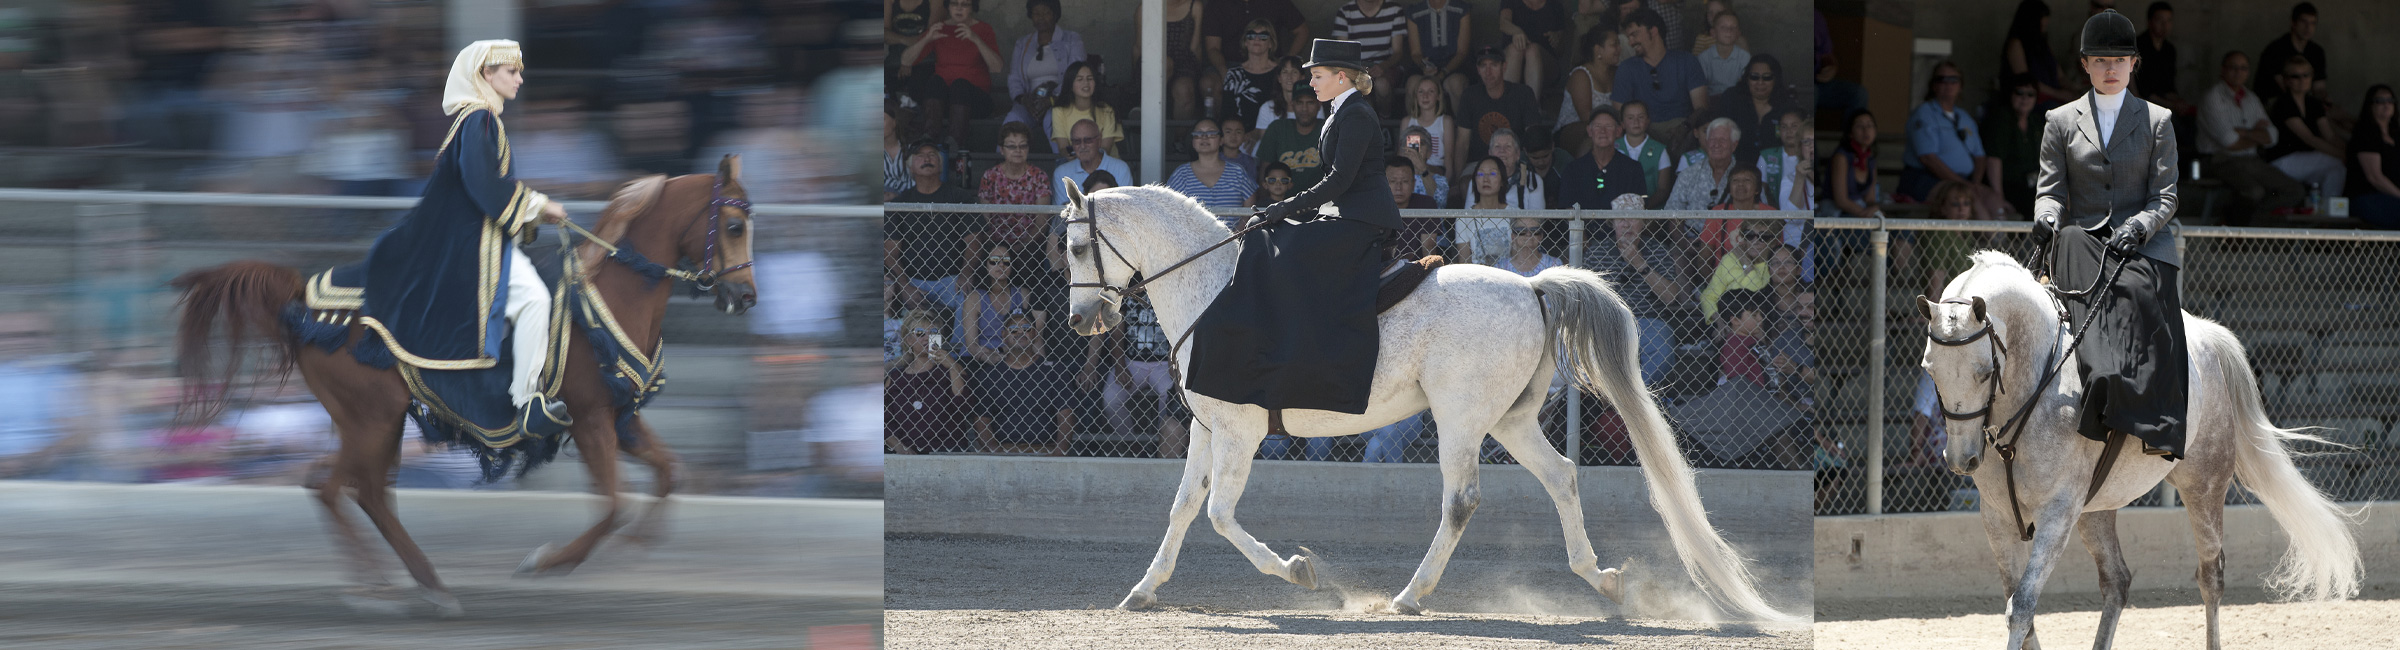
(1472, 344)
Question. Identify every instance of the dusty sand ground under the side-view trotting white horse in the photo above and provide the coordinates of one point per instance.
(1040, 594)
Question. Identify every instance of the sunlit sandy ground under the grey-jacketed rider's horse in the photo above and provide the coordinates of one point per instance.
(2154, 620)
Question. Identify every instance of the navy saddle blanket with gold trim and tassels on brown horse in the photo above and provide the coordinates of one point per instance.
(472, 407)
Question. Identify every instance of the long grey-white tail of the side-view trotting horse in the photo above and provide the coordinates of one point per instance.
(1602, 342)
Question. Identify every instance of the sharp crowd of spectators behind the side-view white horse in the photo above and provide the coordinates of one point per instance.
(1655, 104)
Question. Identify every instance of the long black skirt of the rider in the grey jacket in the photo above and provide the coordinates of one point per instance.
(2135, 361)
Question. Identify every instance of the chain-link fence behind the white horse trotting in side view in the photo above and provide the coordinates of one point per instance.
(983, 359)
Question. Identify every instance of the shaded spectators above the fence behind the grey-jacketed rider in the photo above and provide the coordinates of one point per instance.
(2269, 131)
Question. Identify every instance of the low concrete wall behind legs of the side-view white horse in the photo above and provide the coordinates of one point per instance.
(1124, 500)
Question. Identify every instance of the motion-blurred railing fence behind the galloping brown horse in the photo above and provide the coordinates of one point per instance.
(92, 267)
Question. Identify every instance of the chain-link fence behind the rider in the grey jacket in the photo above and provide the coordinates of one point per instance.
(2317, 311)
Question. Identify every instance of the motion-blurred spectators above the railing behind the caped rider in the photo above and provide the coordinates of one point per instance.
(335, 97)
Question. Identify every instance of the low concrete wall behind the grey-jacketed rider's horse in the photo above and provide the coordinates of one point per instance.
(1945, 555)
